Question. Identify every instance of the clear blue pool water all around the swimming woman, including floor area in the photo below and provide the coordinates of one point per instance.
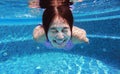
(20, 54)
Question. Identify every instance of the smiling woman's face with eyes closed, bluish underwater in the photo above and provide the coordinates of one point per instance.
(59, 33)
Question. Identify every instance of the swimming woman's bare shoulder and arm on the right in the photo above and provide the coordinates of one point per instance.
(79, 35)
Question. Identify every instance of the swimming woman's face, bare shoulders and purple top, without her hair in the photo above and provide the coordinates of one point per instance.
(59, 36)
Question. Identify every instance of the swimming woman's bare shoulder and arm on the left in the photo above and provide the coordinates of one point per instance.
(39, 34)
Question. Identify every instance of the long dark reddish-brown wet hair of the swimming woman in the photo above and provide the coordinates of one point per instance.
(52, 10)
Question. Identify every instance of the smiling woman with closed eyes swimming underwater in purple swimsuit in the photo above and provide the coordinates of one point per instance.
(57, 29)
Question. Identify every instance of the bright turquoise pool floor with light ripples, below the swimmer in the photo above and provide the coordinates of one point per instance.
(55, 63)
